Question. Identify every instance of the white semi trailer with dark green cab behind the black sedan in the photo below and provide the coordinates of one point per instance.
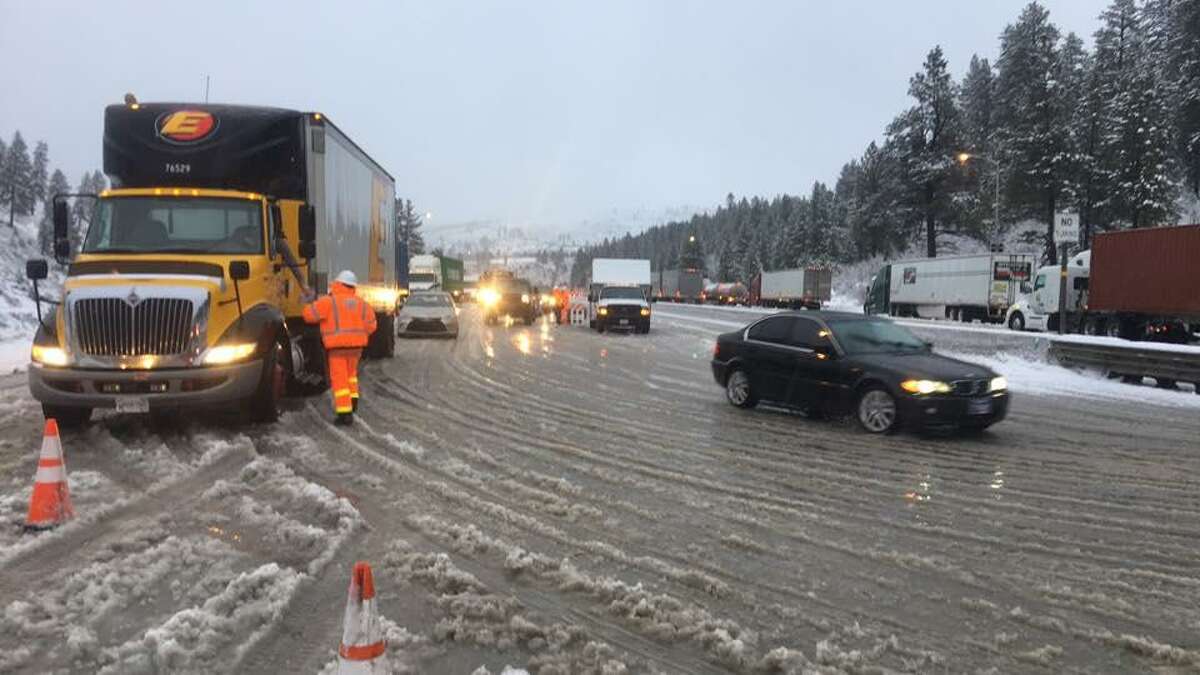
(979, 288)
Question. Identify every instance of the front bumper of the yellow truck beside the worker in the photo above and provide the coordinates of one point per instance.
(194, 387)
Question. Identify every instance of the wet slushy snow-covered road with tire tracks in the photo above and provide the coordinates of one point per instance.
(571, 503)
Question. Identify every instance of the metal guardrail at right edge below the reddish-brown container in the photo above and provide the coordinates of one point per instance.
(1139, 359)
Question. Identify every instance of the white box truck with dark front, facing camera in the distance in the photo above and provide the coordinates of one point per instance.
(619, 295)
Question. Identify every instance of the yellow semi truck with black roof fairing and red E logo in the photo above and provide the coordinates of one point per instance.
(189, 288)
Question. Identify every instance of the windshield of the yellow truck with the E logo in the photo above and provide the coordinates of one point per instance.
(158, 225)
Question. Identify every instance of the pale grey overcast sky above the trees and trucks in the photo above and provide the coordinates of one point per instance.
(544, 114)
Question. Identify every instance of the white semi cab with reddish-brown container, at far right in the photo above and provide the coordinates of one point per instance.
(1136, 285)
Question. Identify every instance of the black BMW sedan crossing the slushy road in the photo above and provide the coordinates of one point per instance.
(836, 363)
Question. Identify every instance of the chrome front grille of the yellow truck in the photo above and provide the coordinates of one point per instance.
(111, 327)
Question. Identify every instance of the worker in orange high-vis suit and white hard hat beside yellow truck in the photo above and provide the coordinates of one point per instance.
(346, 325)
